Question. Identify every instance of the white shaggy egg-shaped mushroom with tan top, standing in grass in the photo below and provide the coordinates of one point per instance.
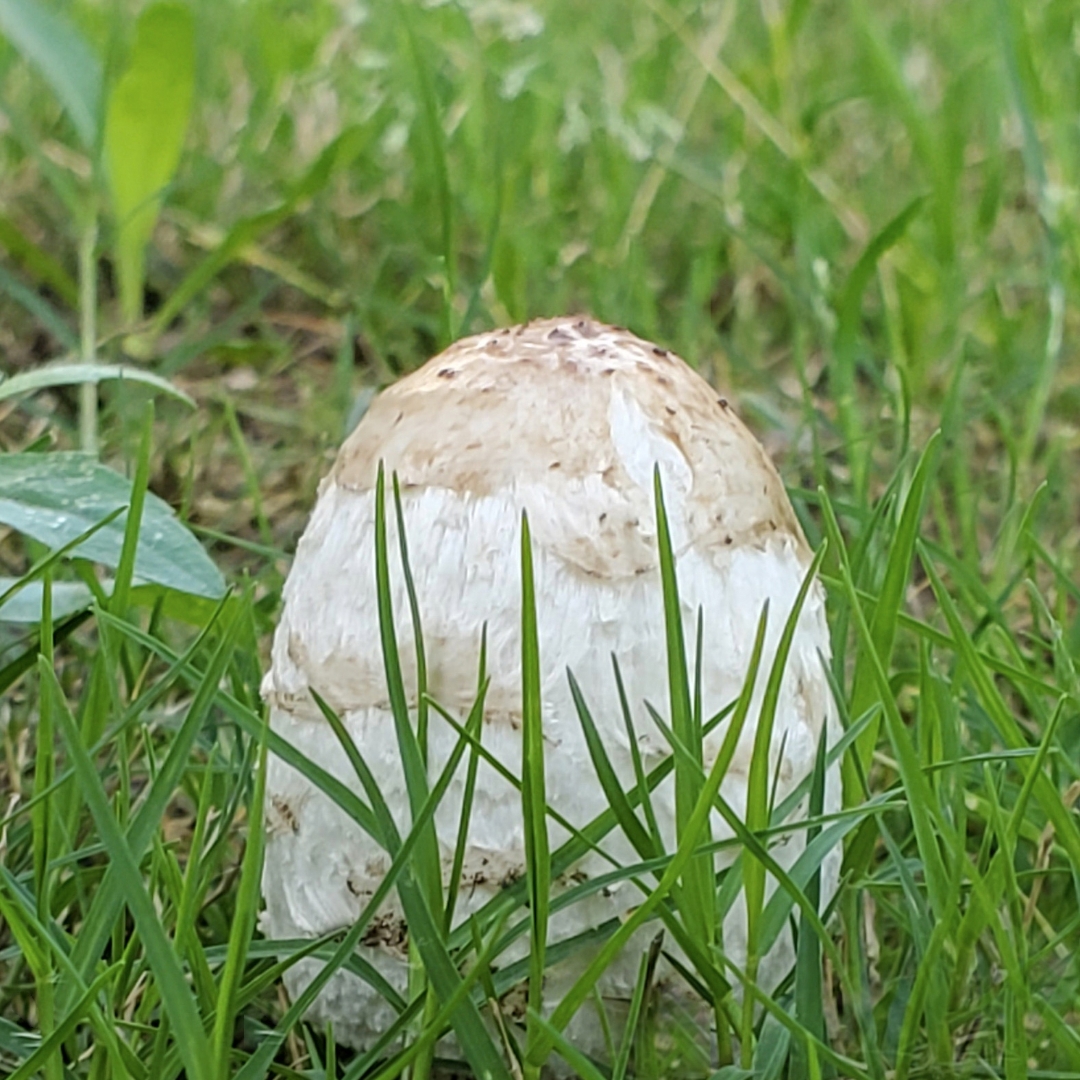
(565, 420)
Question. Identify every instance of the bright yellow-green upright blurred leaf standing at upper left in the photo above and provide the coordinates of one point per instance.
(145, 127)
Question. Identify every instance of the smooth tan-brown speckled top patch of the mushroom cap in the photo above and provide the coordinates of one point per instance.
(573, 413)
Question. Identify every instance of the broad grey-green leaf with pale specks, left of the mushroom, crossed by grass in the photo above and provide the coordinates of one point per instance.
(58, 497)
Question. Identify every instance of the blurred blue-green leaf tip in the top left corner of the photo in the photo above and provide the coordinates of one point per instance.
(59, 51)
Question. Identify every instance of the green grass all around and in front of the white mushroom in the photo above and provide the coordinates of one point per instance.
(859, 220)
